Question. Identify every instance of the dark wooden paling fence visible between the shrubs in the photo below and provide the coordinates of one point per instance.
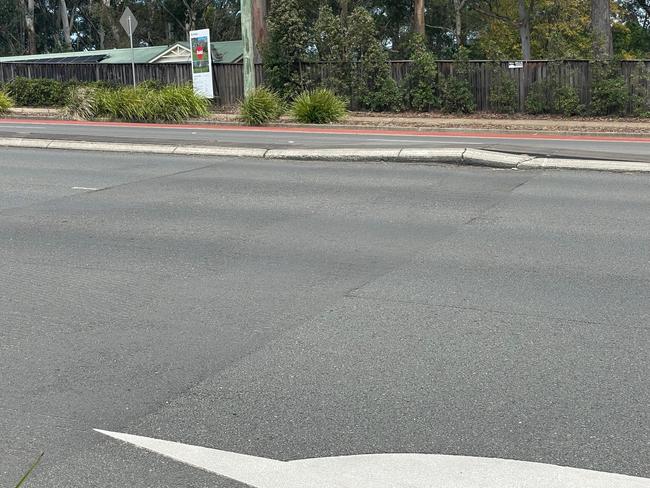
(229, 80)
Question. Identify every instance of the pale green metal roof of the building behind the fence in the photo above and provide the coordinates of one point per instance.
(229, 51)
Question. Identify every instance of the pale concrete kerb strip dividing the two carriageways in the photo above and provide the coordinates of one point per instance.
(459, 156)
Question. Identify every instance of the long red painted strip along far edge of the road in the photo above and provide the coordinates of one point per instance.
(334, 130)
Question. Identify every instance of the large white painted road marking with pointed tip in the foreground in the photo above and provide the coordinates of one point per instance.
(382, 470)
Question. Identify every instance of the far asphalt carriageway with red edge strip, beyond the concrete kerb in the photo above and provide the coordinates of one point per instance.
(607, 148)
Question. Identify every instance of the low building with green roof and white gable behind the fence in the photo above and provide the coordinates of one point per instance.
(222, 52)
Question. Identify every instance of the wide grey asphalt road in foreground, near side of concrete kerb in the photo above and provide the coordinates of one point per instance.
(294, 310)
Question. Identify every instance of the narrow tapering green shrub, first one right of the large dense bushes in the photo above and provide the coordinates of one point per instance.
(420, 83)
